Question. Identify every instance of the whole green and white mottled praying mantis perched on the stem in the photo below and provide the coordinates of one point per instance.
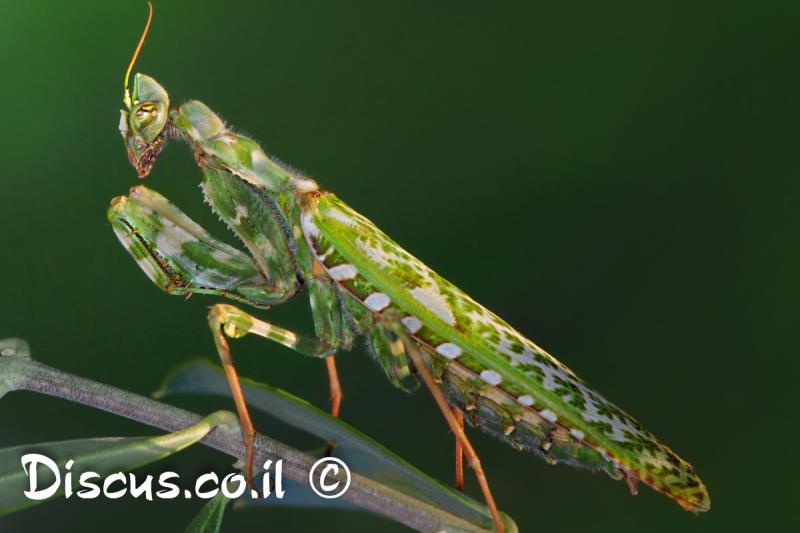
(299, 238)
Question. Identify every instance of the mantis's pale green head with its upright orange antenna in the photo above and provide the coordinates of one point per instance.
(143, 123)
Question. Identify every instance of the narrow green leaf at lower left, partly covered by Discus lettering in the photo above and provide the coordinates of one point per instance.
(104, 456)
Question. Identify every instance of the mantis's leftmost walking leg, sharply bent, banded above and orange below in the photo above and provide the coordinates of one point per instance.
(227, 321)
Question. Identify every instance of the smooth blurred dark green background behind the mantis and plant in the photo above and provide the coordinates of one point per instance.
(618, 181)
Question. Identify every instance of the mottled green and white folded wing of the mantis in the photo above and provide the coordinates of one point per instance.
(382, 274)
